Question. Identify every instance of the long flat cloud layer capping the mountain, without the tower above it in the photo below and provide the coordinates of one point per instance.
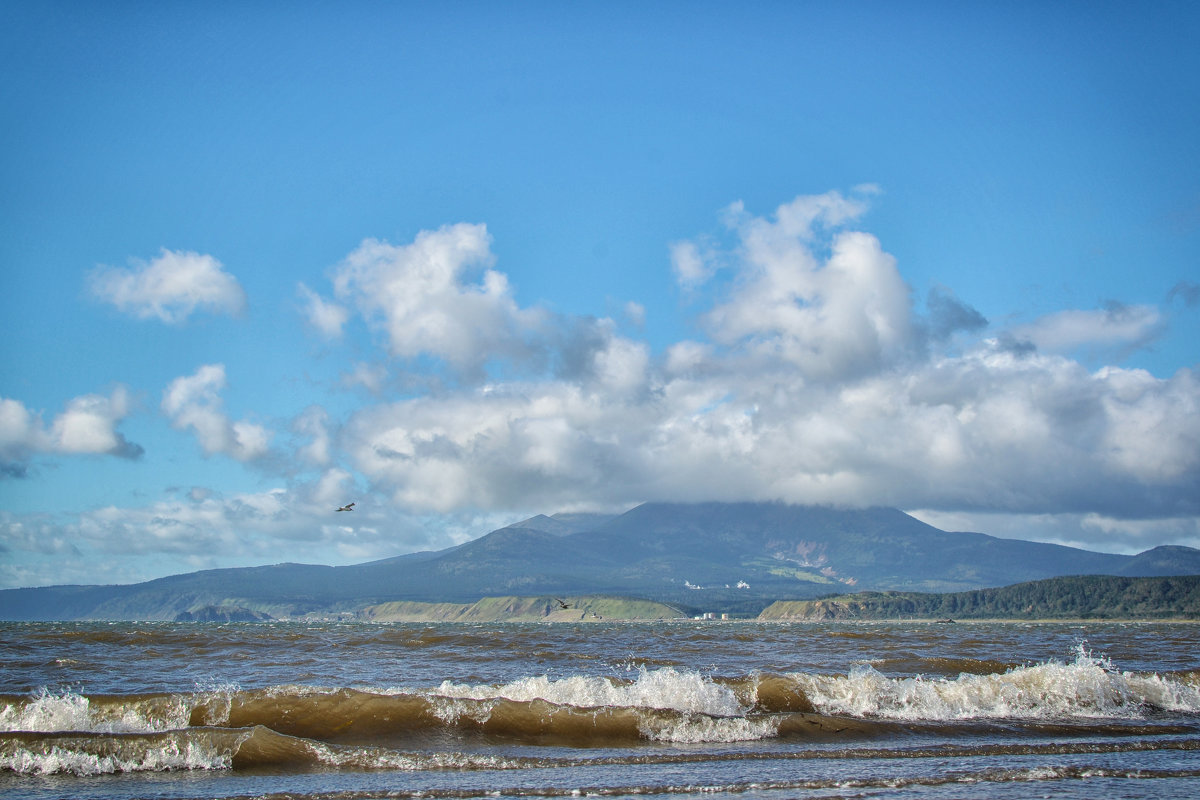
(985, 431)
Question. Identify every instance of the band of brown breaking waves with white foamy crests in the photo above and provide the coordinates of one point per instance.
(224, 729)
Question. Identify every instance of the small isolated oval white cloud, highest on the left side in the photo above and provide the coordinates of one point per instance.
(170, 288)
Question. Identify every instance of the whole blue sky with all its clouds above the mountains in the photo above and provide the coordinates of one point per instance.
(465, 263)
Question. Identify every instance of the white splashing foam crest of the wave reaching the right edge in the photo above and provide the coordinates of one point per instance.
(1085, 688)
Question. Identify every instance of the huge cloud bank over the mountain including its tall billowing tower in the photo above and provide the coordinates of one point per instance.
(819, 383)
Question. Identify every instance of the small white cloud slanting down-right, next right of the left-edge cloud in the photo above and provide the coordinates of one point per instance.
(195, 402)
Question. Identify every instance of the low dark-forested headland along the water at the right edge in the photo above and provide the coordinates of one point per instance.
(1069, 598)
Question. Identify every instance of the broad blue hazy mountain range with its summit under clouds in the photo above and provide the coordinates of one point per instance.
(711, 557)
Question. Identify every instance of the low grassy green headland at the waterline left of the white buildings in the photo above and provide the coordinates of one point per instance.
(523, 610)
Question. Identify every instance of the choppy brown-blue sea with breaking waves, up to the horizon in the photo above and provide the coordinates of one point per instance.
(676, 711)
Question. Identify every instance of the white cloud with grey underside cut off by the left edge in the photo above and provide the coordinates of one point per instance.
(87, 426)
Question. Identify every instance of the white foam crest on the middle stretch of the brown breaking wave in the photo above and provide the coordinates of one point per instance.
(655, 689)
